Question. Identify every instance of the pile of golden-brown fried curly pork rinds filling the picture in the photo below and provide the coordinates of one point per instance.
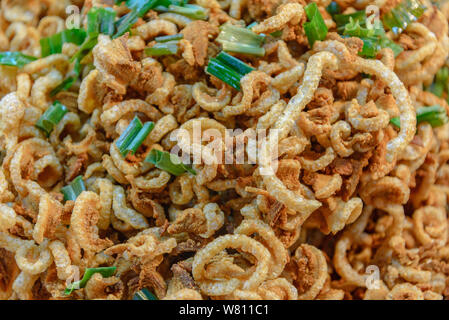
(356, 210)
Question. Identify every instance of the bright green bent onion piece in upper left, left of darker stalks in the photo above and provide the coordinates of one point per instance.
(52, 45)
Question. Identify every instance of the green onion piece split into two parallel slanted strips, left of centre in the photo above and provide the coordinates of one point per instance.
(133, 136)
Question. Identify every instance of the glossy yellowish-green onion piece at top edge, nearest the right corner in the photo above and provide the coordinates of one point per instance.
(403, 15)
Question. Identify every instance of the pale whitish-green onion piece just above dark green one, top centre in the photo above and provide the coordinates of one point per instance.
(241, 40)
